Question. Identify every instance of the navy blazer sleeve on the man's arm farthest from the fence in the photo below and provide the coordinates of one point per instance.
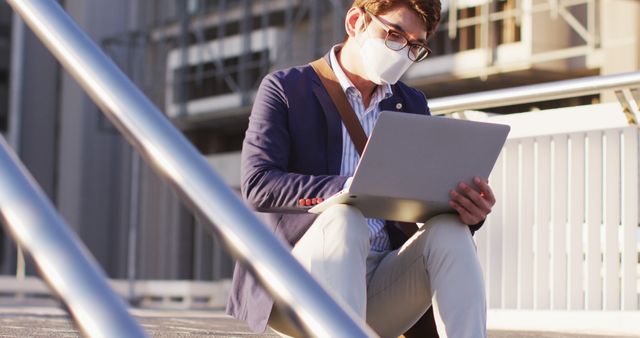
(266, 183)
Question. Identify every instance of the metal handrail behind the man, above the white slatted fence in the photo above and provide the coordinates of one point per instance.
(534, 93)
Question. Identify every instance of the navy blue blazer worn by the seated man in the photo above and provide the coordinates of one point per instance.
(292, 150)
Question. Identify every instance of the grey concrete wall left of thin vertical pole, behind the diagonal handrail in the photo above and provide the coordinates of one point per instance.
(92, 163)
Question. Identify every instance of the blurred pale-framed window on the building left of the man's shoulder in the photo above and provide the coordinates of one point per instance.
(219, 74)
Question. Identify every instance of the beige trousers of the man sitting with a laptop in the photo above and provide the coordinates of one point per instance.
(391, 290)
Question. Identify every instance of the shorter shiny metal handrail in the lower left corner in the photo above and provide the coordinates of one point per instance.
(63, 261)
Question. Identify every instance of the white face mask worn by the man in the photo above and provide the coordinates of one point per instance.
(381, 64)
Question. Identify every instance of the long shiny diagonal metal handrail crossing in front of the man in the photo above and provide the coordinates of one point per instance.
(178, 161)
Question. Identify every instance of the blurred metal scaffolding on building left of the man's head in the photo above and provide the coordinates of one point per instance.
(189, 30)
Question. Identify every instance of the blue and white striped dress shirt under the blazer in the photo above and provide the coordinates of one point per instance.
(367, 116)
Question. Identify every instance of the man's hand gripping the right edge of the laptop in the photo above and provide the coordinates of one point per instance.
(473, 204)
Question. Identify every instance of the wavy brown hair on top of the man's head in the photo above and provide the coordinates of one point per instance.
(429, 10)
